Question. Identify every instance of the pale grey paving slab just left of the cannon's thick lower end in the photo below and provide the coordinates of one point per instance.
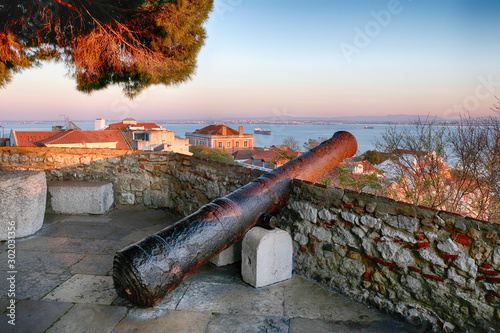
(80, 288)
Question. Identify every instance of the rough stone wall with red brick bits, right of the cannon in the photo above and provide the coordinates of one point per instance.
(434, 268)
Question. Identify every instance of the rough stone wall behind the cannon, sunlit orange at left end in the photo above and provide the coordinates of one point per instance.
(156, 179)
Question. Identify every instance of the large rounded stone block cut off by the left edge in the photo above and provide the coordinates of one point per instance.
(23, 196)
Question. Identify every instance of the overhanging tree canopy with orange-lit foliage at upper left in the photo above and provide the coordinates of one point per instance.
(134, 43)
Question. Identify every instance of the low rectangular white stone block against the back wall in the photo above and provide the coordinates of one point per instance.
(70, 197)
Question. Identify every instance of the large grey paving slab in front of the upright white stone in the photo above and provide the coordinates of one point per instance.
(232, 299)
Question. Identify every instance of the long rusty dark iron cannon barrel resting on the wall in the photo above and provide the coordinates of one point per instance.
(145, 272)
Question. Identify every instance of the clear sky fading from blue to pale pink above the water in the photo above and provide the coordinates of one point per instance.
(326, 59)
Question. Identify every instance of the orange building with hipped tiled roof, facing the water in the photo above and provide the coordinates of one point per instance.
(222, 137)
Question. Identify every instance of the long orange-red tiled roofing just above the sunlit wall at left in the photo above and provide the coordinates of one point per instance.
(40, 139)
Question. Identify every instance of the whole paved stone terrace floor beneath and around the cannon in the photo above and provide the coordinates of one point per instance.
(64, 284)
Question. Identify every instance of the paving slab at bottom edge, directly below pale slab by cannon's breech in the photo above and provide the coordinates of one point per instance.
(89, 318)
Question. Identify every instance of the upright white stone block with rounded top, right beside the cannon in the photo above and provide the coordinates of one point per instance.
(266, 256)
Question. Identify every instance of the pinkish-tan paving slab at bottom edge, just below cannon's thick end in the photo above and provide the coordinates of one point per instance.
(161, 321)
